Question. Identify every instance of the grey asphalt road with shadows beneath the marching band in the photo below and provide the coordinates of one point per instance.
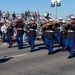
(21, 62)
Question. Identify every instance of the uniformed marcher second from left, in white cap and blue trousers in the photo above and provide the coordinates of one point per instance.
(19, 29)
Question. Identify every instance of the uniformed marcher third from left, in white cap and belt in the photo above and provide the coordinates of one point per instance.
(32, 34)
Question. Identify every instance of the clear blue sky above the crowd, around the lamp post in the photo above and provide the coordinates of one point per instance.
(67, 6)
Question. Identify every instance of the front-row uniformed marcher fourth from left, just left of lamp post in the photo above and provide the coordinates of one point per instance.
(49, 35)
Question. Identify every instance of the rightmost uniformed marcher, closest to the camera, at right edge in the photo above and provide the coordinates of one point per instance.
(71, 37)
